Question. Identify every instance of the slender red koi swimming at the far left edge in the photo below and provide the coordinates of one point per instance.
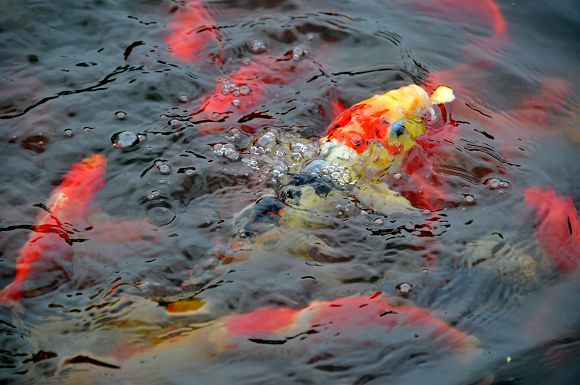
(50, 242)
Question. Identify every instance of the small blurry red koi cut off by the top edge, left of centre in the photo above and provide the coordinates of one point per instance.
(192, 31)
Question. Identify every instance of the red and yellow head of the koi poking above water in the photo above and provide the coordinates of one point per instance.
(374, 134)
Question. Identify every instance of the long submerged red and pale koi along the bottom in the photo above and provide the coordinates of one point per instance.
(344, 323)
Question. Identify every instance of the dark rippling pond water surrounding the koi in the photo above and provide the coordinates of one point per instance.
(66, 73)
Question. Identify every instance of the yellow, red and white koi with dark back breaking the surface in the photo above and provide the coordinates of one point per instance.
(360, 147)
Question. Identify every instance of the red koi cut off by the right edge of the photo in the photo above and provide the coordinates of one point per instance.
(558, 231)
